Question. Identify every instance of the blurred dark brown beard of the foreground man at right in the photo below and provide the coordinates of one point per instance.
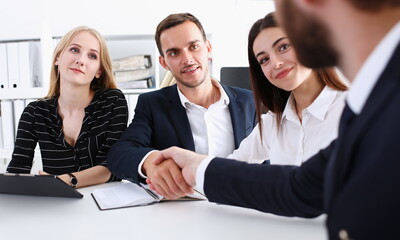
(309, 37)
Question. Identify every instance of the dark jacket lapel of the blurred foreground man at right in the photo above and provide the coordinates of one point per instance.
(340, 163)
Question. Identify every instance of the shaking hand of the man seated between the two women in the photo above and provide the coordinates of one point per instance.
(166, 178)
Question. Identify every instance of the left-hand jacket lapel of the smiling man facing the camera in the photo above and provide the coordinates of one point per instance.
(179, 119)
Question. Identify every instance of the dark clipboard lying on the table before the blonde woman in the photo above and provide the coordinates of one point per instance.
(36, 185)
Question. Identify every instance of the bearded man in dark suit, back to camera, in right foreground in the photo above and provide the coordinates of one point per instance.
(355, 180)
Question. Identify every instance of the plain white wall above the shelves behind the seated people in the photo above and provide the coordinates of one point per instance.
(228, 21)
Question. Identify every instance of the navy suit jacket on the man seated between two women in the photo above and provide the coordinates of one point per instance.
(161, 122)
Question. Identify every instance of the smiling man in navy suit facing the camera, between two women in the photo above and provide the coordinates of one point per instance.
(198, 113)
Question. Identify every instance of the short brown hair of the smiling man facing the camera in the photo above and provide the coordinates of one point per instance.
(174, 20)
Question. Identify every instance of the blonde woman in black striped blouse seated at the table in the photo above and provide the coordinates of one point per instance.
(80, 118)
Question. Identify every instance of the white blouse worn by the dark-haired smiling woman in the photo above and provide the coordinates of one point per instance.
(295, 141)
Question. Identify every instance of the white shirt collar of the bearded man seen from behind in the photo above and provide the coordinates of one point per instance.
(372, 68)
